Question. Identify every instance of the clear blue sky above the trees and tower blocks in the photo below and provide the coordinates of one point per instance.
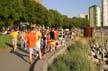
(71, 7)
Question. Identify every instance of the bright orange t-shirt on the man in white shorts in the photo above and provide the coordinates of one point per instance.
(31, 40)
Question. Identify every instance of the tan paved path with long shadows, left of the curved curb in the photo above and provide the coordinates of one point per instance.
(15, 61)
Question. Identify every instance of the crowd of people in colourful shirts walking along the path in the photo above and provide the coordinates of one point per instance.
(37, 41)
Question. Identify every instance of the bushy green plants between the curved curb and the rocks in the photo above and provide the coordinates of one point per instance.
(74, 60)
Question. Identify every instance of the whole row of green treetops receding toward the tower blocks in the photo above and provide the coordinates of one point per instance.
(12, 11)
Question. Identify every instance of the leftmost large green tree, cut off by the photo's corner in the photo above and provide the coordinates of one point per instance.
(10, 11)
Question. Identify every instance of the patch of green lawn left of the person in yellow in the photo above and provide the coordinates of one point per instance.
(5, 41)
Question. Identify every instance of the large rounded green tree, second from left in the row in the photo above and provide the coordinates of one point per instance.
(34, 12)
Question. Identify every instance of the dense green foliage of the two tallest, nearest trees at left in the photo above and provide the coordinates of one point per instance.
(21, 10)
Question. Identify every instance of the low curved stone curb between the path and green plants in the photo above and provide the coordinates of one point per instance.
(42, 65)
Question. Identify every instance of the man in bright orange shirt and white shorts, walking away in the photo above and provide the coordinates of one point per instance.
(31, 42)
